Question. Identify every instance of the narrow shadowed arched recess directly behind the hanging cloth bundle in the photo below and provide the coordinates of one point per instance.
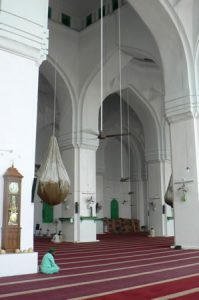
(63, 109)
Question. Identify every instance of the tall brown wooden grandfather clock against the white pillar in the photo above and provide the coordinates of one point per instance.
(11, 210)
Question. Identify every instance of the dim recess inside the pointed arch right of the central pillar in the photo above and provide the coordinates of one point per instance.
(133, 158)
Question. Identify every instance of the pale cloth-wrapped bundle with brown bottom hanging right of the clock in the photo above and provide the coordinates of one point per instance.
(53, 186)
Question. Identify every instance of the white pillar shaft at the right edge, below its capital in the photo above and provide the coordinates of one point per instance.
(185, 163)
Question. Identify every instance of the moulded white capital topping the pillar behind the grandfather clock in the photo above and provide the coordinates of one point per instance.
(23, 34)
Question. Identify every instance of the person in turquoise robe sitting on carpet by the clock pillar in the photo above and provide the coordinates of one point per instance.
(48, 265)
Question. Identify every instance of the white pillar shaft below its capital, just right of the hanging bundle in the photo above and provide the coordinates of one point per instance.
(80, 224)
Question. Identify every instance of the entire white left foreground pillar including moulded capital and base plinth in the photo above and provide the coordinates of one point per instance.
(21, 53)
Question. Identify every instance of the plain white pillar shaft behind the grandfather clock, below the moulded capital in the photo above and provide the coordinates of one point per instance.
(18, 130)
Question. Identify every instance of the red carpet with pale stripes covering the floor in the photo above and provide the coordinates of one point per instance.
(116, 267)
